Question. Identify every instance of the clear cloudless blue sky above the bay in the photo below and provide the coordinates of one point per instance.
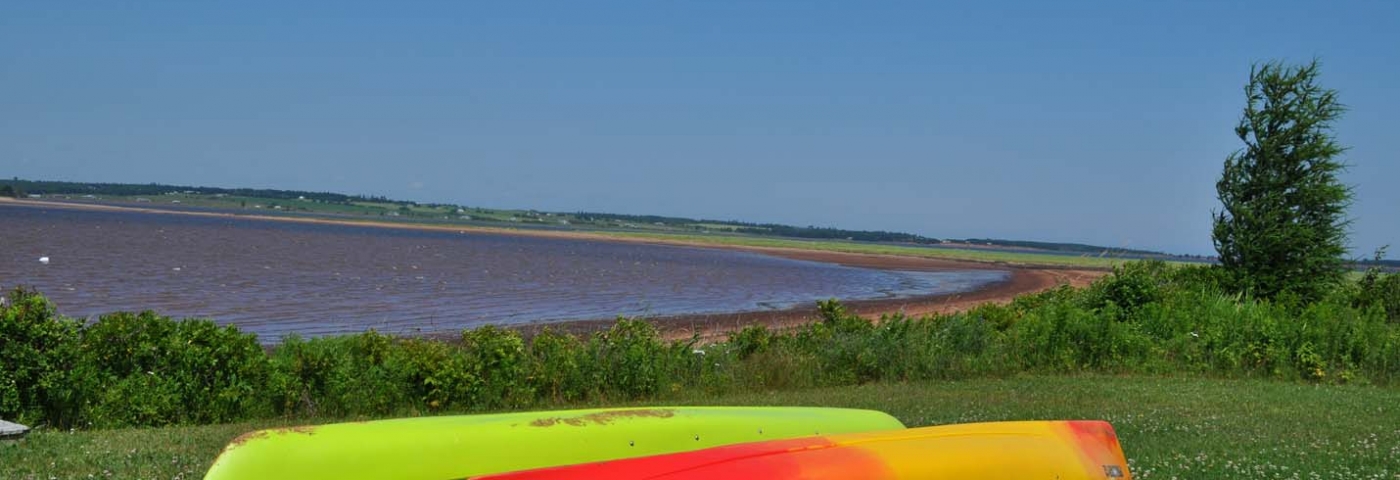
(1102, 122)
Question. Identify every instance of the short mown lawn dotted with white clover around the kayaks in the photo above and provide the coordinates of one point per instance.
(1171, 428)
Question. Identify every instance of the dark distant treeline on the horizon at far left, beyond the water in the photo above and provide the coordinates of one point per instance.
(152, 190)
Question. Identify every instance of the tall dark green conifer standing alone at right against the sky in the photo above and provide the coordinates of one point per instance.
(1283, 229)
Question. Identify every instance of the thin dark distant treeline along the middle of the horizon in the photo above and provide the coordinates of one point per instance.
(818, 233)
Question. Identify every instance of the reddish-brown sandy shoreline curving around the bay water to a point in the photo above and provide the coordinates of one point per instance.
(1021, 281)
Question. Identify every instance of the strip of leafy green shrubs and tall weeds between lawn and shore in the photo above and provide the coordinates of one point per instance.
(1146, 318)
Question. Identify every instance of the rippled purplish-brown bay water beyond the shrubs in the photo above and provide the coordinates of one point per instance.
(276, 278)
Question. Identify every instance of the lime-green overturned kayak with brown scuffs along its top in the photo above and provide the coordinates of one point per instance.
(437, 449)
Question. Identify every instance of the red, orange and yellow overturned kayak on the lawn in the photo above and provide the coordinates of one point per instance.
(1021, 450)
